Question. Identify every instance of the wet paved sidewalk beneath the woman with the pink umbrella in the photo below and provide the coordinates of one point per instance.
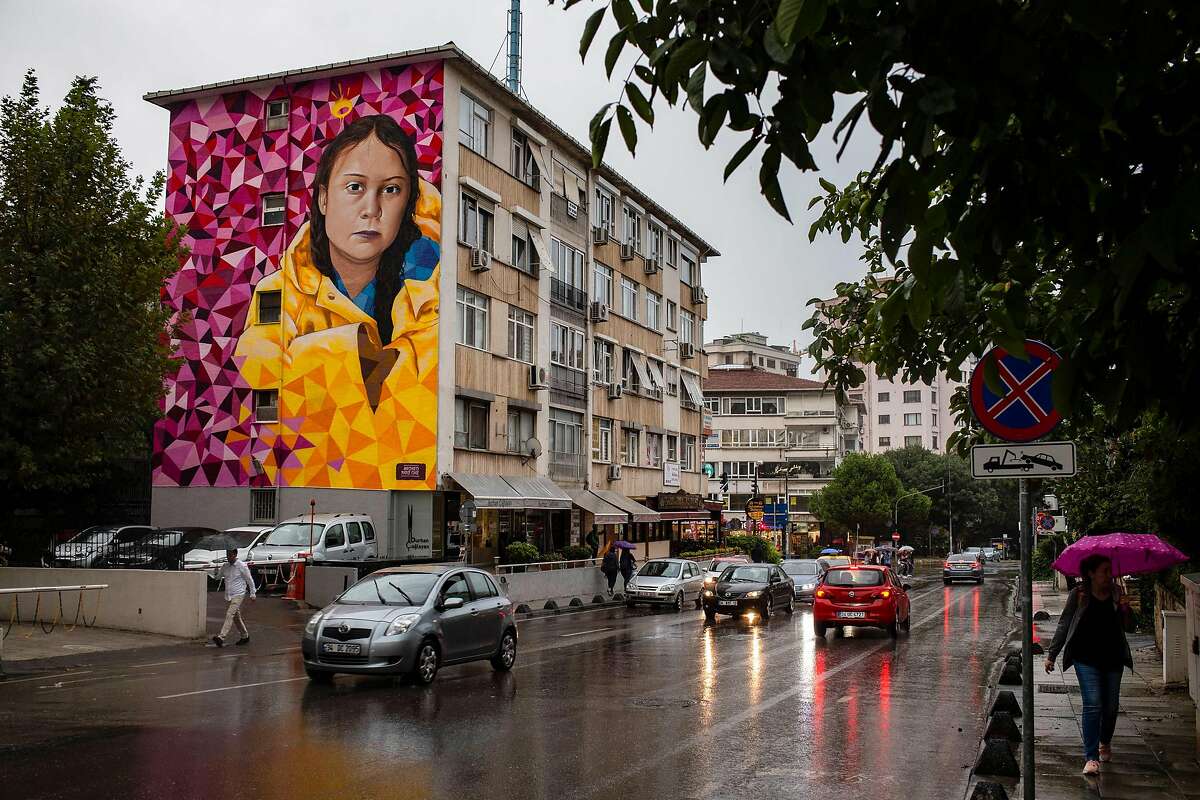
(1155, 748)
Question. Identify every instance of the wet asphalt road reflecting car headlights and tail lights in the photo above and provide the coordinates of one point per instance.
(611, 703)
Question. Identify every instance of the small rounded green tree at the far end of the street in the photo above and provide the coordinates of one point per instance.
(860, 498)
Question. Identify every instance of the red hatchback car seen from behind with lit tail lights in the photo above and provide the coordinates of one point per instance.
(861, 597)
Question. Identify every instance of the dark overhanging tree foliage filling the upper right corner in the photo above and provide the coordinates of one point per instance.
(1037, 173)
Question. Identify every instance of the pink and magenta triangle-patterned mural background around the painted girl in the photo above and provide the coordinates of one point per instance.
(221, 161)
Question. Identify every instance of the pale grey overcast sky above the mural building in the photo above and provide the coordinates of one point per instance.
(769, 269)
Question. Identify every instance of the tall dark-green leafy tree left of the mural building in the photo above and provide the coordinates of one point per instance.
(83, 258)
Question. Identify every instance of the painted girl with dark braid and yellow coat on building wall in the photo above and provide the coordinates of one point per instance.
(355, 352)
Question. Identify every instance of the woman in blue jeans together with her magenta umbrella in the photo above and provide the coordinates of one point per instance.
(1091, 631)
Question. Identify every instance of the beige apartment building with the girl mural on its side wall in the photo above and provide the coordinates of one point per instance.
(543, 377)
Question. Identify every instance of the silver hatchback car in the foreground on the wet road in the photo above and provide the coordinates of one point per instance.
(412, 621)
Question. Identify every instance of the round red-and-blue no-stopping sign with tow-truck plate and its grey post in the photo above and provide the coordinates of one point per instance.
(1022, 413)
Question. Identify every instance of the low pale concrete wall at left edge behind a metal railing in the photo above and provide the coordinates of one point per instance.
(175, 604)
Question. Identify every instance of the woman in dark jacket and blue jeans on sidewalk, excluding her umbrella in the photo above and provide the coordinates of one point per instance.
(1091, 631)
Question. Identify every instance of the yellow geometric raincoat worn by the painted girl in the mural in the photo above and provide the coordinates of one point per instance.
(351, 407)
